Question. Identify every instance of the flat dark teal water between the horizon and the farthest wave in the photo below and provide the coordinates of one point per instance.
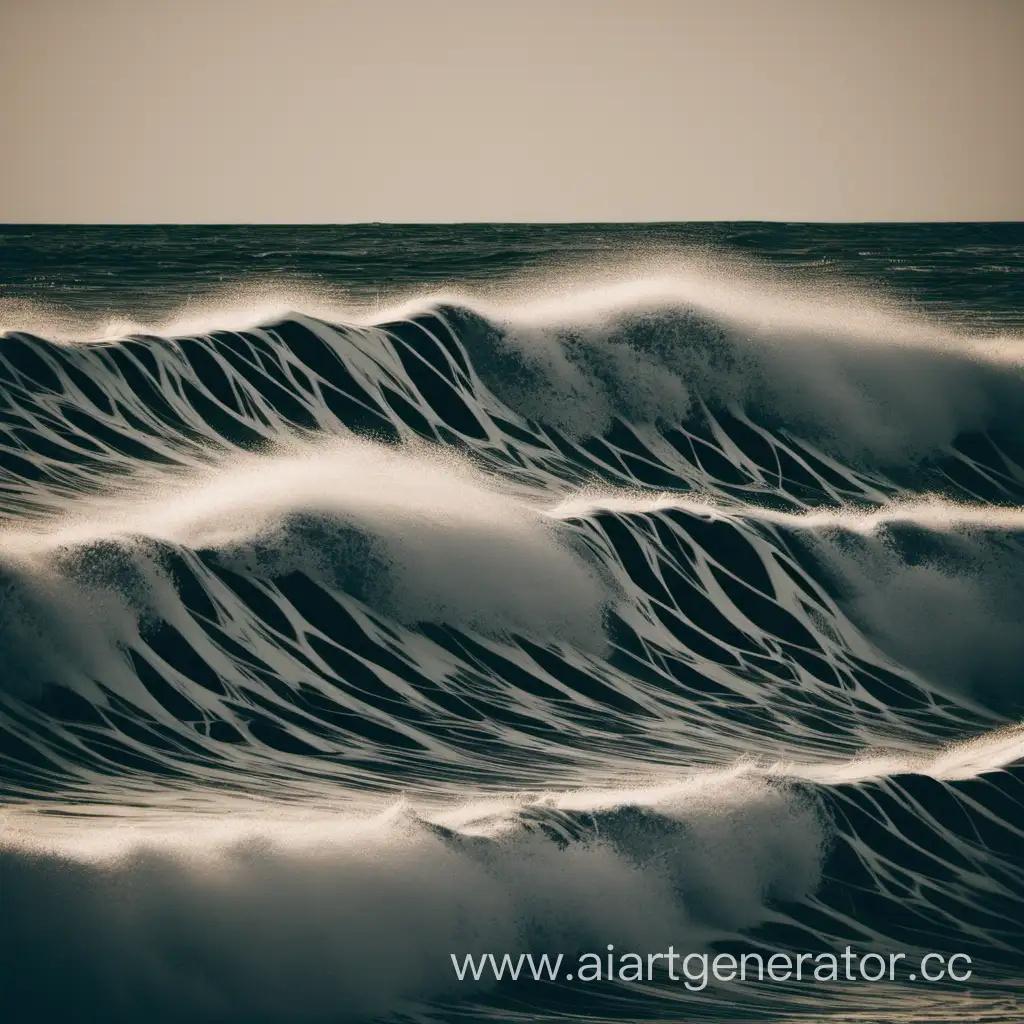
(967, 273)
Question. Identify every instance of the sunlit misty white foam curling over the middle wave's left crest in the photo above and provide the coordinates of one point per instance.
(444, 541)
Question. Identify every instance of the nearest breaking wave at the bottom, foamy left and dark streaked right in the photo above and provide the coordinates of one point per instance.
(293, 914)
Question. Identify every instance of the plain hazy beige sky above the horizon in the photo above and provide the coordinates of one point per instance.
(439, 111)
